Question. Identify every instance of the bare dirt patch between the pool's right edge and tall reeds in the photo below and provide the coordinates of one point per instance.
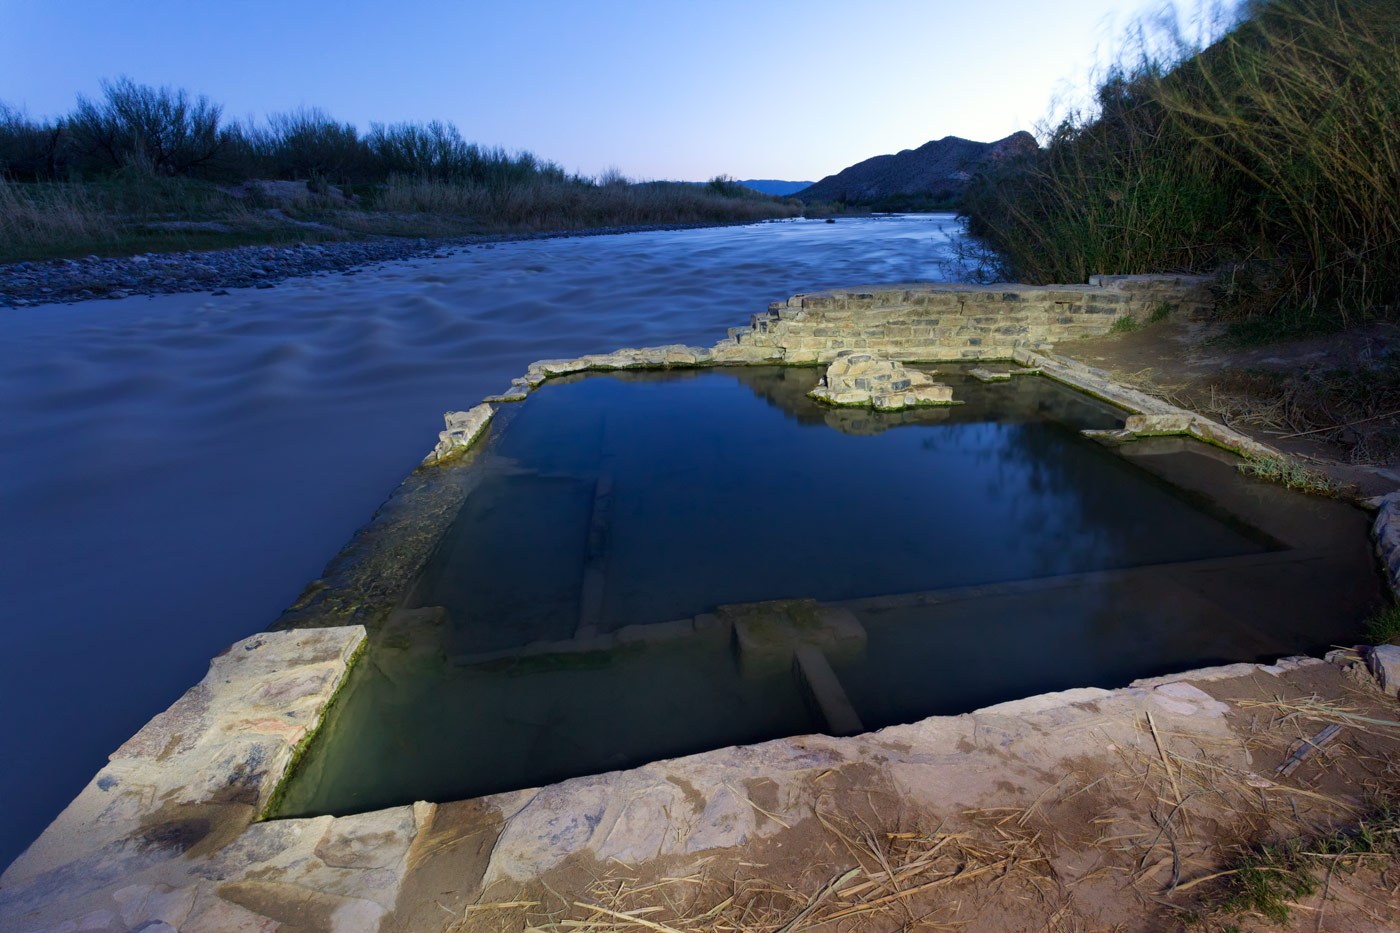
(1265, 392)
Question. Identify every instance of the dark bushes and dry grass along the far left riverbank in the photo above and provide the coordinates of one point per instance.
(156, 169)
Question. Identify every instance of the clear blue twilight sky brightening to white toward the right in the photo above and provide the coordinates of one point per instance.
(660, 89)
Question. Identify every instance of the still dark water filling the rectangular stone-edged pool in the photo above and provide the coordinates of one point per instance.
(981, 553)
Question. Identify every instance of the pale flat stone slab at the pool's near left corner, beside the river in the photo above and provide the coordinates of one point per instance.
(176, 806)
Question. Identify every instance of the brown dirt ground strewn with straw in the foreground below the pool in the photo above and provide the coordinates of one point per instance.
(1153, 834)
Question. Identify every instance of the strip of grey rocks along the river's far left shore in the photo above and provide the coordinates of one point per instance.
(68, 281)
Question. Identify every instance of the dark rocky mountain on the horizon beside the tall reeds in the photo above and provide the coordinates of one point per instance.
(936, 172)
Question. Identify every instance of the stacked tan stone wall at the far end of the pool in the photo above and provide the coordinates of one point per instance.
(948, 322)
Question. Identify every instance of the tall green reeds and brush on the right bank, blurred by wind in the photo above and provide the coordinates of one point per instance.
(1273, 156)
